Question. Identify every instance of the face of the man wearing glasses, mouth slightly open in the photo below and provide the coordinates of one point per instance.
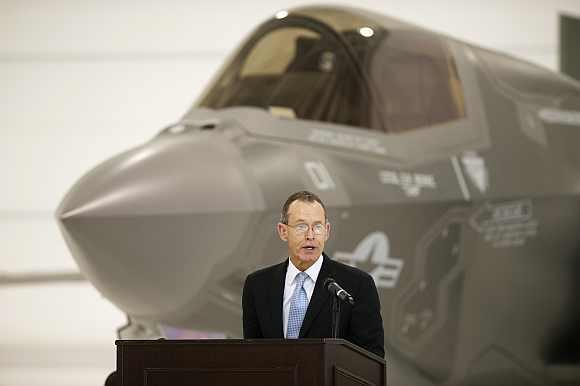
(304, 248)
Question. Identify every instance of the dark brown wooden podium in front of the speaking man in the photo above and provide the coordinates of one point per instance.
(262, 362)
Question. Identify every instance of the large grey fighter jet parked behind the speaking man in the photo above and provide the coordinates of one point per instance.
(451, 174)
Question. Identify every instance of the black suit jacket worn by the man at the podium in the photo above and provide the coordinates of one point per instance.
(360, 324)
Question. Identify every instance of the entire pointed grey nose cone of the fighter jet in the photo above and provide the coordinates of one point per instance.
(148, 227)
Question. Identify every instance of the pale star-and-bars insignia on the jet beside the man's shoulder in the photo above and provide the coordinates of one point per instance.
(375, 249)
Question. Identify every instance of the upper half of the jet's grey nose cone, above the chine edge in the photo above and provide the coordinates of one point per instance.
(160, 178)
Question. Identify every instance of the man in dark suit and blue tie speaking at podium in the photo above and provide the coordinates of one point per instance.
(288, 300)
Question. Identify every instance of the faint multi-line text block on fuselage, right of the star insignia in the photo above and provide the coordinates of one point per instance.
(508, 224)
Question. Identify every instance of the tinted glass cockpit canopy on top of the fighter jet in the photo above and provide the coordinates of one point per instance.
(344, 66)
